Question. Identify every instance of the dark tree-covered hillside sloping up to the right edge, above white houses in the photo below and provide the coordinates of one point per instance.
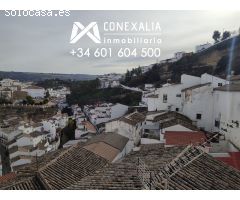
(215, 60)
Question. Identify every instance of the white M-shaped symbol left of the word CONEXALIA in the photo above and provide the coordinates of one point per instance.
(76, 35)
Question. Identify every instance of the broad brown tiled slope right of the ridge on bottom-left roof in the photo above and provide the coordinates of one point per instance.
(71, 166)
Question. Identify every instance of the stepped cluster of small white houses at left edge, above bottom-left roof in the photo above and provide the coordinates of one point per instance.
(27, 140)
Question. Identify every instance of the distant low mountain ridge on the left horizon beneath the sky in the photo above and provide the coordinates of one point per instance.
(36, 77)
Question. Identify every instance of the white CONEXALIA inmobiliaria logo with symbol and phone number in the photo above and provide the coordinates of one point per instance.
(124, 39)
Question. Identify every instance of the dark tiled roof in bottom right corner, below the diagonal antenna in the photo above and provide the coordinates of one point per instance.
(206, 173)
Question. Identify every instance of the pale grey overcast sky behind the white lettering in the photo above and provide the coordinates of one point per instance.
(41, 44)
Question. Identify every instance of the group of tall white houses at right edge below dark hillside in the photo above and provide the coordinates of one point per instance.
(212, 103)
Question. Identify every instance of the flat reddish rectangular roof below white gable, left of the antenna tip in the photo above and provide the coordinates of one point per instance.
(183, 138)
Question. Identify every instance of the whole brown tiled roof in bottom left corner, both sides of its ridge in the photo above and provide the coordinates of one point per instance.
(69, 165)
